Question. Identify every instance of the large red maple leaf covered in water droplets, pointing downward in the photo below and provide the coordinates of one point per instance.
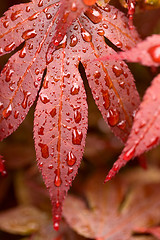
(60, 123)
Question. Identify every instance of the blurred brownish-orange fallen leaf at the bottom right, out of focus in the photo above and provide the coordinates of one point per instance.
(115, 209)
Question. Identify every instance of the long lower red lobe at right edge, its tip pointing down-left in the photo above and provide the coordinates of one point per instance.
(145, 133)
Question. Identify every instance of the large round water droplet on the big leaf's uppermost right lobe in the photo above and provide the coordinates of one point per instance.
(94, 14)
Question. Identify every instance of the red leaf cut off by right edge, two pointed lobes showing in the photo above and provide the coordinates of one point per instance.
(145, 133)
